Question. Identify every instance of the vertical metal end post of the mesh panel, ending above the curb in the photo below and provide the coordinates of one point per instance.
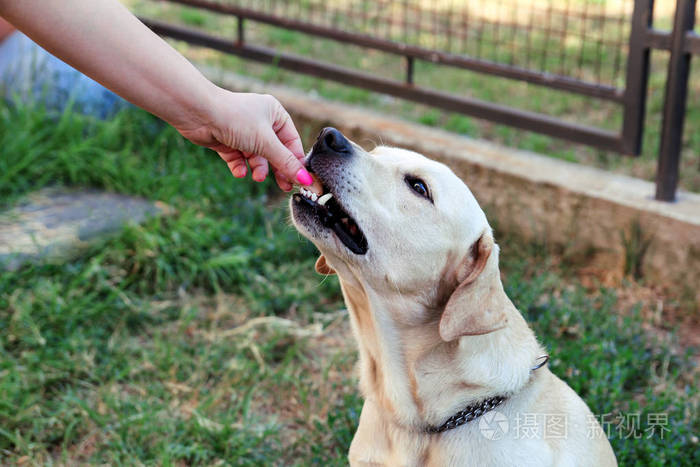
(637, 78)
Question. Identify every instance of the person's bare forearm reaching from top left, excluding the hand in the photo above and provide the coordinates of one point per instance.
(105, 41)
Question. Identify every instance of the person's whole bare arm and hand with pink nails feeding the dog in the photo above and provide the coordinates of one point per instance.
(102, 39)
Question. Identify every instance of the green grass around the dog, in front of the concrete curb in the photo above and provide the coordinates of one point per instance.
(134, 352)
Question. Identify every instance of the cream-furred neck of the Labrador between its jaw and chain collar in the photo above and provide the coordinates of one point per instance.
(415, 377)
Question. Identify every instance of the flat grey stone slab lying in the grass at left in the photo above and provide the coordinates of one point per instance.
(54, 224)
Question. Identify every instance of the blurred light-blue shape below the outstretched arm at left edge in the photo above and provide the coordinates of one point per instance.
(30, 73)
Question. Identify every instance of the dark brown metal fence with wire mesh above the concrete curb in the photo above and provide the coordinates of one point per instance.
(585, 47)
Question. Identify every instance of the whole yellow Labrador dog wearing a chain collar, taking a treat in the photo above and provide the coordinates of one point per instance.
(451, 373)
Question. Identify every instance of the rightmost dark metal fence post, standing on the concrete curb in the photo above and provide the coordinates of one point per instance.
(675, 103)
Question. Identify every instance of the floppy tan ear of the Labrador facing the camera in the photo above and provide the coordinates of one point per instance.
(477, 306)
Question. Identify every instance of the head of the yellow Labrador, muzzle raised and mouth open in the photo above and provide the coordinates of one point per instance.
(402, 224)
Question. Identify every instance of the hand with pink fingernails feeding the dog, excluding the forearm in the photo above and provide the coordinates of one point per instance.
(249, 130)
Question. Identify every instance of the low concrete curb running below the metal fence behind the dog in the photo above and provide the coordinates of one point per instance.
(607, 222)
